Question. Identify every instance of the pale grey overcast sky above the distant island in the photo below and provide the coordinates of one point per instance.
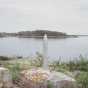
(70, 16)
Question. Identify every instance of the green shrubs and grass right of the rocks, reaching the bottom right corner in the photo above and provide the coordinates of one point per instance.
(77, 68)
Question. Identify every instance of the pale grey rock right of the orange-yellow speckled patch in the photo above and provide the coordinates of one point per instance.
(60, 80)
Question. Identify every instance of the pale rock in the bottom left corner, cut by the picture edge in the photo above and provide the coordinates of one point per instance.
(5, 78)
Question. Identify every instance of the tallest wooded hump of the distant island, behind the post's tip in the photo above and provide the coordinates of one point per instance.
(40, 33)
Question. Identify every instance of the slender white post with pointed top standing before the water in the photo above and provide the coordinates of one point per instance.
(45, 52)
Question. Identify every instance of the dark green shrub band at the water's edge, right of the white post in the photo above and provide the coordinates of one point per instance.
(80, 64)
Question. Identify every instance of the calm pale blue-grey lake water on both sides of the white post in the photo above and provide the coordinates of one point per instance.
(68, 48)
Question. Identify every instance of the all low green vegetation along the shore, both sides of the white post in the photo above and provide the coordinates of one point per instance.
(77, 68)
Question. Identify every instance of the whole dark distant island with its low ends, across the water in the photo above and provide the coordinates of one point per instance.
(37, 34)
